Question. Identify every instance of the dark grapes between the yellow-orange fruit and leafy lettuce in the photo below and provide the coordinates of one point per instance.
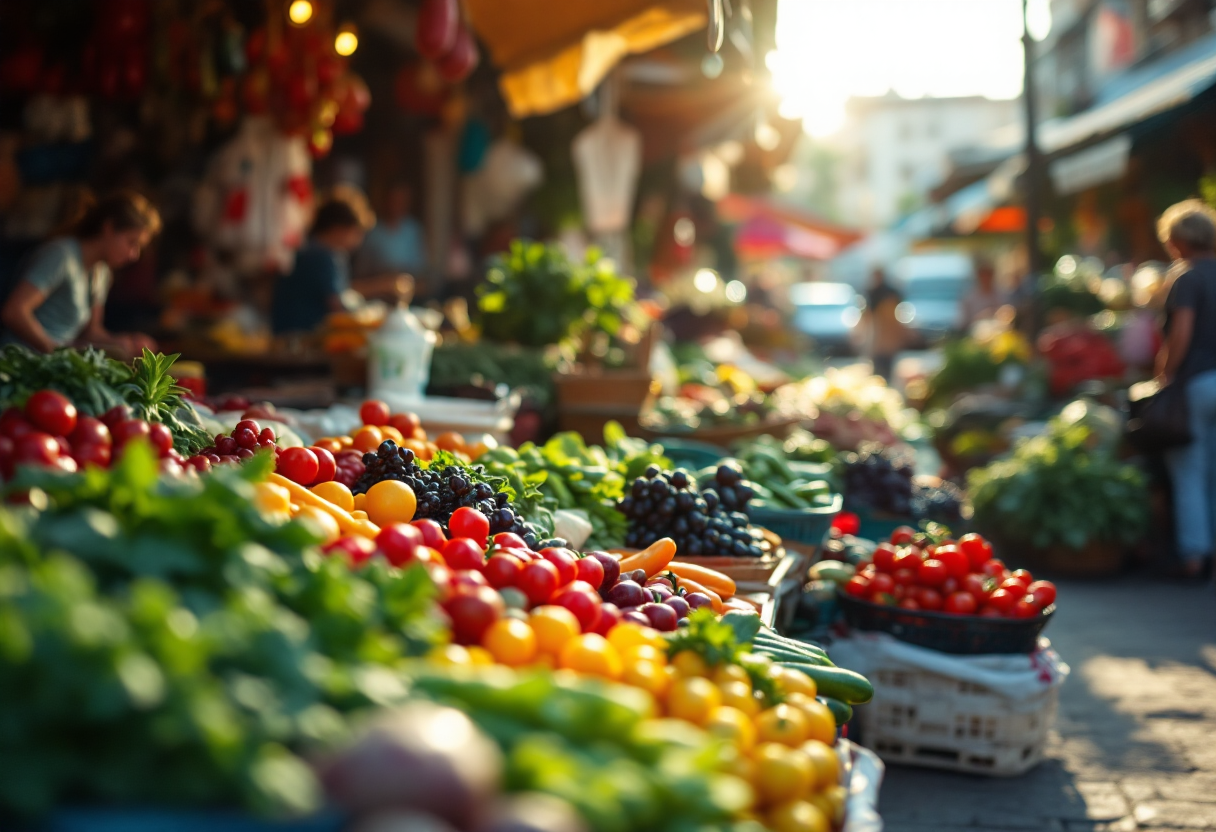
(442, 492)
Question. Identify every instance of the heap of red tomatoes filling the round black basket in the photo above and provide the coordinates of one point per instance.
(919, 571)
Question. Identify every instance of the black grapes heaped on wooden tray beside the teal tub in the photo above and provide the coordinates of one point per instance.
(662, 505)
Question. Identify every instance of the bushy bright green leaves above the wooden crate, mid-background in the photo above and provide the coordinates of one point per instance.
(537, 296)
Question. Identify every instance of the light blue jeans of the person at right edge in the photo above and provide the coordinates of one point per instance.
(1194, 473)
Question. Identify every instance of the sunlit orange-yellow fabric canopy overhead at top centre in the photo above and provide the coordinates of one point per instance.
(555, 53)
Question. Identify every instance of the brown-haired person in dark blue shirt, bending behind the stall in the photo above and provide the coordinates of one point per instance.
(322, 273)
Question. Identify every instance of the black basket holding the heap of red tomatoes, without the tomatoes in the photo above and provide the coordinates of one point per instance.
(962, 636)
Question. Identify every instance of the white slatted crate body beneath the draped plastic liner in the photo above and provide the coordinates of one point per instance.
(933, 721)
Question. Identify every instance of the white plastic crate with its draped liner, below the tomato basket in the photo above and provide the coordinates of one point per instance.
(984, 715)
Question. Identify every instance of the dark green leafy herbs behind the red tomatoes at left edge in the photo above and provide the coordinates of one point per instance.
(97, 384)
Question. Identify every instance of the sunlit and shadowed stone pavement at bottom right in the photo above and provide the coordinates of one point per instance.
(1135, 746)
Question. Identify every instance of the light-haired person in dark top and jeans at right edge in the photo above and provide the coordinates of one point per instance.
(1189, 358)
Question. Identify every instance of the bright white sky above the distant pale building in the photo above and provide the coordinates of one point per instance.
(830, 50)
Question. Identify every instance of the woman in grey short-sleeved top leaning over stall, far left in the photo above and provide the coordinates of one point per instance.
(60, 299)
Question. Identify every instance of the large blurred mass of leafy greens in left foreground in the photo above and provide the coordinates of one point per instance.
(164, 644)
